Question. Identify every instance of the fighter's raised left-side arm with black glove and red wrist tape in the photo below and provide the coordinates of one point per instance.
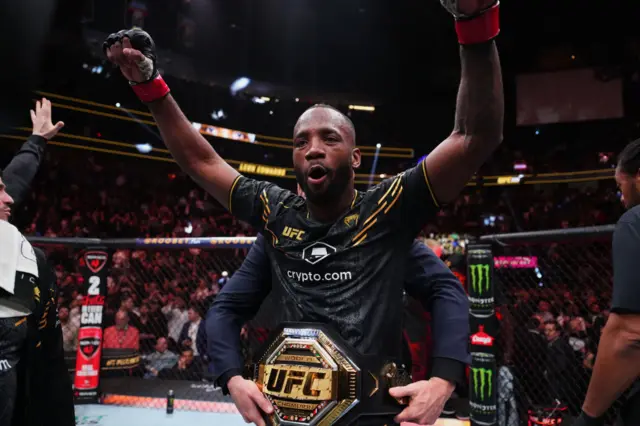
(134, 52)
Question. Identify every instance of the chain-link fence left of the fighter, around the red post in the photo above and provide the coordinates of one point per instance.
(152, 319)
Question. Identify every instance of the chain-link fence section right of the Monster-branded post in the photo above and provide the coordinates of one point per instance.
(552, 295)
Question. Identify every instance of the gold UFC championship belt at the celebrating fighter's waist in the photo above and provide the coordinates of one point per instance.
(312, 377)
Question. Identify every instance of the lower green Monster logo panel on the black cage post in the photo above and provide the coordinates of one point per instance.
(482, 401)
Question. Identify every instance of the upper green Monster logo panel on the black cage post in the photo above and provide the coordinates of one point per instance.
(480, 281)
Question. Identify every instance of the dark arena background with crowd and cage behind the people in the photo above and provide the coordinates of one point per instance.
(140, 251)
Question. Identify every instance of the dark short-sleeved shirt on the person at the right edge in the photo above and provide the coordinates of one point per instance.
(626, 252)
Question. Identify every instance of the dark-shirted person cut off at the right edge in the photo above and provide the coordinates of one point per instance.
(618, 362)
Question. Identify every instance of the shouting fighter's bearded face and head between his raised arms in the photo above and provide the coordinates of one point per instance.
(324, 154)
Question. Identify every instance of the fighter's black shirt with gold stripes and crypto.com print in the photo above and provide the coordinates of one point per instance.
(349, 273)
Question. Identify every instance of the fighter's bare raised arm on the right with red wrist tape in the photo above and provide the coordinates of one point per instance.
(480, 106)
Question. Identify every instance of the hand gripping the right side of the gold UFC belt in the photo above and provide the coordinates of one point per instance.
(427, 399)
